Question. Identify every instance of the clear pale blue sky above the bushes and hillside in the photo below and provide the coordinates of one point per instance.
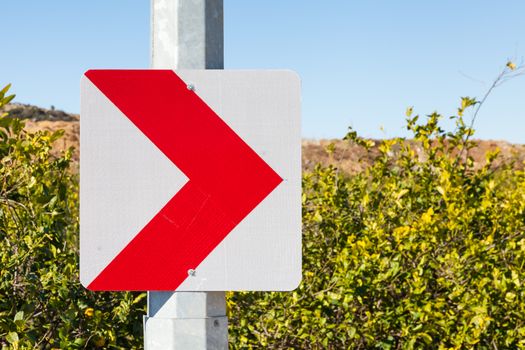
(361, 62)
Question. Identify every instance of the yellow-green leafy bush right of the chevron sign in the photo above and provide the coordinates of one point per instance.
(422, 250)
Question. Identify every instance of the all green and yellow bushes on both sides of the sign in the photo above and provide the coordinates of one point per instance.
(420, 244)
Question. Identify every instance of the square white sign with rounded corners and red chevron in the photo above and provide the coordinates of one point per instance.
(190, 180)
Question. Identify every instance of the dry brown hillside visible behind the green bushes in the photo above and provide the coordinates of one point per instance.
(345, 156)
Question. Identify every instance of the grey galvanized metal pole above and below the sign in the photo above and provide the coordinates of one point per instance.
(186, 34)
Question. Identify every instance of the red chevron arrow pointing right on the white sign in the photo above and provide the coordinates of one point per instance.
(227, 179)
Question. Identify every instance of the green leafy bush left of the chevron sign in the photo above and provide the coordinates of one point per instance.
(42, 304)
